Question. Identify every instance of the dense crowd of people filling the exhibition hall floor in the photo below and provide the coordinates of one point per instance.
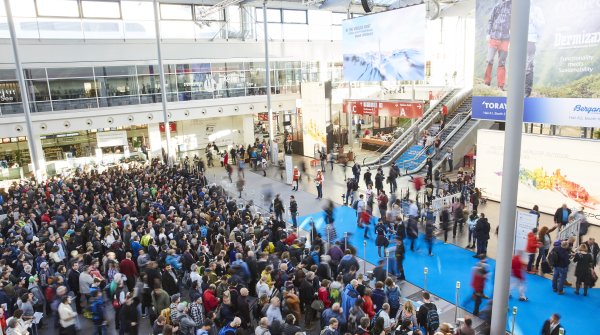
(151, 246)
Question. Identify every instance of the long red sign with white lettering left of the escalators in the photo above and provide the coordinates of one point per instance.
(403, 109)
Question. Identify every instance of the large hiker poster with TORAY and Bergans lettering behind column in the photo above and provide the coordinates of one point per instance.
(562, 68)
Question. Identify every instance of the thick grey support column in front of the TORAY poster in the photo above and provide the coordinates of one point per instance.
(517, 56)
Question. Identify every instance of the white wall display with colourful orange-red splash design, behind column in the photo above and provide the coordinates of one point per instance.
(553, 171)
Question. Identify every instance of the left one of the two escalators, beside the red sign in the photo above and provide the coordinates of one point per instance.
(407, 141)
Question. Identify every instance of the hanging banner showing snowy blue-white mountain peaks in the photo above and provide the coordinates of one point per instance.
(386, 46)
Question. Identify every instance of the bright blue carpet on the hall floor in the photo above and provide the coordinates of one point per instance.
(451, 263)
